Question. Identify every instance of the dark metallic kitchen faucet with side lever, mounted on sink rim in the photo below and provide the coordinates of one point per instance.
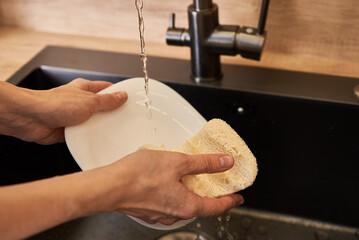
(208, 39)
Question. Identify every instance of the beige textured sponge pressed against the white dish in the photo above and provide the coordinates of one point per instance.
(218, 137)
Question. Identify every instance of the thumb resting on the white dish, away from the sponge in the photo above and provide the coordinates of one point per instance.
(110, 101)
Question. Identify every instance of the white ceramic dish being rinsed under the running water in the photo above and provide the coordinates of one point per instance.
(108, 136)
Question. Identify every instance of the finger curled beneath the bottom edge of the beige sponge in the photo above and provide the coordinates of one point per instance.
(210, 207)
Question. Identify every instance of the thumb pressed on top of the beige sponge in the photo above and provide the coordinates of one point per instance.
(207, 163)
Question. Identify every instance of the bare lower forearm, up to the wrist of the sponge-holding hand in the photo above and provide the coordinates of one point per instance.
(26, 209)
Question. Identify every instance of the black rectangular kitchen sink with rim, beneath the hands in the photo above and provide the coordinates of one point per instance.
(303, 128)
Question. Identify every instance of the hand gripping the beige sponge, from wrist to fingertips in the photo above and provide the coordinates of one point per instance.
(149, 186)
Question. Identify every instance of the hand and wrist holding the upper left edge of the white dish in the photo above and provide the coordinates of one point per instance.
(40, 116)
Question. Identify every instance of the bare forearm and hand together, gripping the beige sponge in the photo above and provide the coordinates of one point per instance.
(146, 184)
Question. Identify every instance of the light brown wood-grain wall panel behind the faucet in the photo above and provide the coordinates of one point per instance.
(309, 29)
